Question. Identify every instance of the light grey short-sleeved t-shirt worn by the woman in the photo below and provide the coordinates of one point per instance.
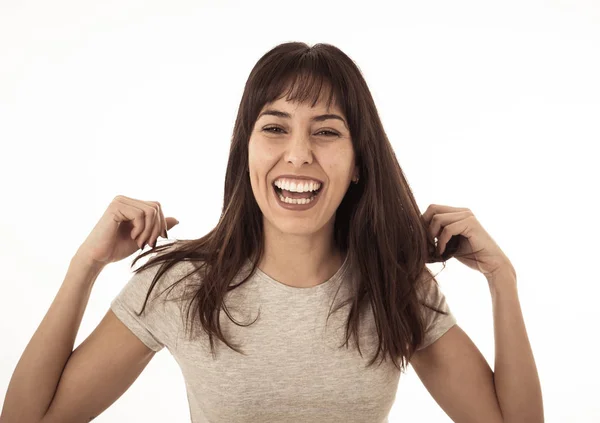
(293, 370)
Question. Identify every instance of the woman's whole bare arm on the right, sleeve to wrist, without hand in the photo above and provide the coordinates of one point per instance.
(460, 380)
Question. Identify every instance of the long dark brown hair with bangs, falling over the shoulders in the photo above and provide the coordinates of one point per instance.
(378, 223)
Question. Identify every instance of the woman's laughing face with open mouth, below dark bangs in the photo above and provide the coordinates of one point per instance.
(296, 140)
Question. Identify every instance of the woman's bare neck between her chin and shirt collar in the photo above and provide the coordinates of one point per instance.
(301, 261)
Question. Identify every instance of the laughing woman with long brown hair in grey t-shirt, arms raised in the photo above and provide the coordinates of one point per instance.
(320, 240)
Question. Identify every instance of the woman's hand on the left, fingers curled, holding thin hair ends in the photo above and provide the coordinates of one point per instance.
(126, 225)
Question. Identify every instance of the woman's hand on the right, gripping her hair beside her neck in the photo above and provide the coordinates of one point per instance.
(443, 222)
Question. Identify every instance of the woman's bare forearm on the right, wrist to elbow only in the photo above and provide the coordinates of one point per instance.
(515, 374)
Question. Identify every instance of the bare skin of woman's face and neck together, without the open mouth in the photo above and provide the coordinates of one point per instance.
(299, 248)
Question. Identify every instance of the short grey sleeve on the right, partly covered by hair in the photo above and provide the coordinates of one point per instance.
(436, 324)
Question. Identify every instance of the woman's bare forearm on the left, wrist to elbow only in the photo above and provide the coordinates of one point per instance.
(36, 376)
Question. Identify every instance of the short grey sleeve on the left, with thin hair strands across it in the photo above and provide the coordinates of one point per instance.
(157, 326)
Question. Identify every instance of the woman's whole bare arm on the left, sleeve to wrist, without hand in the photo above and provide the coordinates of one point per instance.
(52, 383)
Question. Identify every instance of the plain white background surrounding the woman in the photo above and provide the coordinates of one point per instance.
(492, 106)
